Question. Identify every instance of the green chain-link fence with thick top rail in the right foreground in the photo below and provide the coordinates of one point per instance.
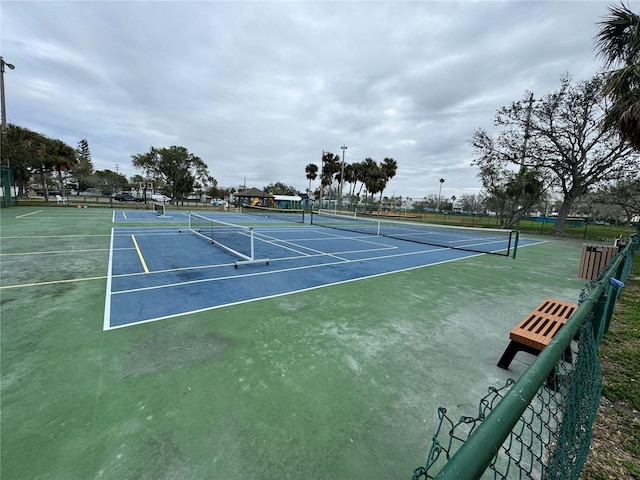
(540, 426)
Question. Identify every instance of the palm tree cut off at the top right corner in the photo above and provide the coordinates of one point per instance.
(618, 43)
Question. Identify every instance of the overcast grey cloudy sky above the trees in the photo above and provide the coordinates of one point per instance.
(259, 89)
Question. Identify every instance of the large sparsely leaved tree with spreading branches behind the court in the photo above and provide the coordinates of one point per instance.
(565, 140)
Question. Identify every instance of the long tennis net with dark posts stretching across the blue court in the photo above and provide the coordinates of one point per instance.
(482, 240)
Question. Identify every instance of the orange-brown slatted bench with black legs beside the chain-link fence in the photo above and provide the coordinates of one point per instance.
(536, 330)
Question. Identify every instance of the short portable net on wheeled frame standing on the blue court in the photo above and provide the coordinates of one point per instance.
(237, 240)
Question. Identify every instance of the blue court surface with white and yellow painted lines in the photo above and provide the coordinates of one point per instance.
(162, 270)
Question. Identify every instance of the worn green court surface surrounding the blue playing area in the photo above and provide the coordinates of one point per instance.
(341, 382)
